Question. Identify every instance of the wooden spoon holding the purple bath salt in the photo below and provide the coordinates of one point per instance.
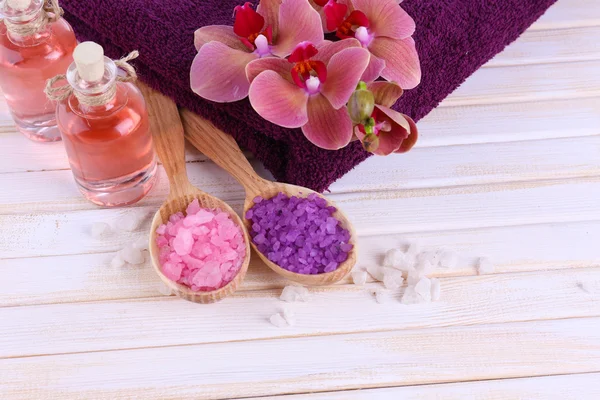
(224, 151)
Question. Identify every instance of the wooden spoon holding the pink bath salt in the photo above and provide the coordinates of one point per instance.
(169, 142)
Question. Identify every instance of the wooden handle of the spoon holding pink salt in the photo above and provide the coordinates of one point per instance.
(167, 133)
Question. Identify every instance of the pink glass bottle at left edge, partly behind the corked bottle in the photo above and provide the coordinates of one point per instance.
(34, 47)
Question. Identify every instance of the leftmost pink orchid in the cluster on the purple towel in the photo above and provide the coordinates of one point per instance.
(218, 72)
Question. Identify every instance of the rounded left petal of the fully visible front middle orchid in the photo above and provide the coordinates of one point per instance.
(279, 101)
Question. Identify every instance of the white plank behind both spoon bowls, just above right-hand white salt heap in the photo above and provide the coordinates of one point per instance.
(414, 210)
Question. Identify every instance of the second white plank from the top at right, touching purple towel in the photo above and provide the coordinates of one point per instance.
(551, 46)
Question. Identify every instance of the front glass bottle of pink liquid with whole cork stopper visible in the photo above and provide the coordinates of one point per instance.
(105, 128)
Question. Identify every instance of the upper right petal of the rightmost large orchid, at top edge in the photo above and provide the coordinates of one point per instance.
(387, 18)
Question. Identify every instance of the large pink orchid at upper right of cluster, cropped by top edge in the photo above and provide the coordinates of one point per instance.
(383, 28)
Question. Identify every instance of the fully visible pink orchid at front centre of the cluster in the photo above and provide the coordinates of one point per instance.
(310, 90)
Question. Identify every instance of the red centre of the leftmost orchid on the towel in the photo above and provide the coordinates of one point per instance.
(249, 26)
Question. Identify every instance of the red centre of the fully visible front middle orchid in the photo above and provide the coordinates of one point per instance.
(307, 73)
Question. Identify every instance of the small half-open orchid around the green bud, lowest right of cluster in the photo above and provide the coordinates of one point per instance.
(396, 132)
